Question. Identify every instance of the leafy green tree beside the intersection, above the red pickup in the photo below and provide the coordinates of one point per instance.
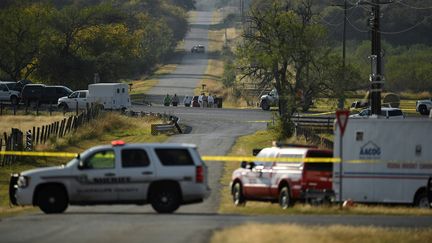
(279, 44)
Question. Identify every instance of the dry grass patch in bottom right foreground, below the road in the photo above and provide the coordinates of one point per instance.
(252, 232)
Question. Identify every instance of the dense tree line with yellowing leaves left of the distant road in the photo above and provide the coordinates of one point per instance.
(69, 41)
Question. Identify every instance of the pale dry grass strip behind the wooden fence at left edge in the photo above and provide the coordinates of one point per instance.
(26, 122)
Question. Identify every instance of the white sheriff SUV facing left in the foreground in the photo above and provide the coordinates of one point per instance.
(164, 175)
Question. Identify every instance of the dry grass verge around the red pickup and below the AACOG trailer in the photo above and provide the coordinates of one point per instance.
(244, 146)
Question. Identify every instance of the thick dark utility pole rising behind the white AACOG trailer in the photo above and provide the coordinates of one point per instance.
(376, 76)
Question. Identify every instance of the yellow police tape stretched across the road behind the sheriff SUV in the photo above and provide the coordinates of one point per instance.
(205, 157)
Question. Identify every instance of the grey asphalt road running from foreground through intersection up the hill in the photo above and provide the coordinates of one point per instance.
(214, 131)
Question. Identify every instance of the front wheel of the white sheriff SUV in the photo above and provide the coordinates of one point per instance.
(52, 199)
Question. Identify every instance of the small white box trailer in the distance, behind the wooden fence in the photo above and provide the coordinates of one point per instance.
(111, 95)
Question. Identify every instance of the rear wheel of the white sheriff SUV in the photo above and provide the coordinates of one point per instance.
(165, 200)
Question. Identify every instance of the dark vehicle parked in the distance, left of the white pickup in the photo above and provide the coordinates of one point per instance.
(43, 94)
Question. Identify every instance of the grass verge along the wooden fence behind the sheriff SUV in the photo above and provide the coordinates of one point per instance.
(110, 126)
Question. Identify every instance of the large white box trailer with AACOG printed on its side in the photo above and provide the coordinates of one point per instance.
(385, 161)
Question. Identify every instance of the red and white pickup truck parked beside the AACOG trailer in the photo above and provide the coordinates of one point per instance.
(284, 182)
